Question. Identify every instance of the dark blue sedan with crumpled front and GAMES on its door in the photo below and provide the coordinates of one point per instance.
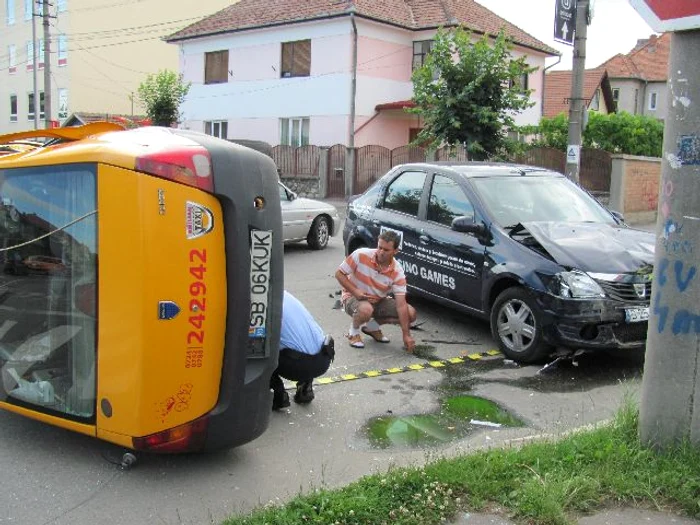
(523, 247)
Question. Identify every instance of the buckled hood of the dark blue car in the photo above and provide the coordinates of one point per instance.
(594, 247)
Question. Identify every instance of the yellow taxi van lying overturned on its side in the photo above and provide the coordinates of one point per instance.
(141, 285)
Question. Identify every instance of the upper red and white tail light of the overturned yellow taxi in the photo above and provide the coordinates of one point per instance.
(189, 165)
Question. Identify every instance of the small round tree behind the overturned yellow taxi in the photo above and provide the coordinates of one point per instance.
(162, 95)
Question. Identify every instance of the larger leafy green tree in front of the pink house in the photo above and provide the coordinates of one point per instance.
(467, 92)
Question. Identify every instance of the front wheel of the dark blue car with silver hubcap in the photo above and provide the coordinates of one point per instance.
(516, 326)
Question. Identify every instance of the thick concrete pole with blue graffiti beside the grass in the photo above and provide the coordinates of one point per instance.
(670, 400)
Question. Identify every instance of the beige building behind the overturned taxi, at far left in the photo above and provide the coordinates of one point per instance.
(100, 52)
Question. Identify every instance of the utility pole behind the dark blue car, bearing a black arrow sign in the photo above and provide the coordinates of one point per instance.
(577, 106)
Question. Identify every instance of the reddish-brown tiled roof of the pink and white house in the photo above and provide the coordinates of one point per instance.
(409, 14)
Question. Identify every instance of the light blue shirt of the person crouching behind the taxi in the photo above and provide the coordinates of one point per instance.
(300, 331)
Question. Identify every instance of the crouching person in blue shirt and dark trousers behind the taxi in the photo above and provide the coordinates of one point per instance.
(305, 353)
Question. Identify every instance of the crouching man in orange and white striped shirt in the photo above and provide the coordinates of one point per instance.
(368, 276)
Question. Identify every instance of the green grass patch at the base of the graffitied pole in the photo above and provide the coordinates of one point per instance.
(542, 483)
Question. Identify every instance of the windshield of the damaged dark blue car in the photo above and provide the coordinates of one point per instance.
(512, 200)
